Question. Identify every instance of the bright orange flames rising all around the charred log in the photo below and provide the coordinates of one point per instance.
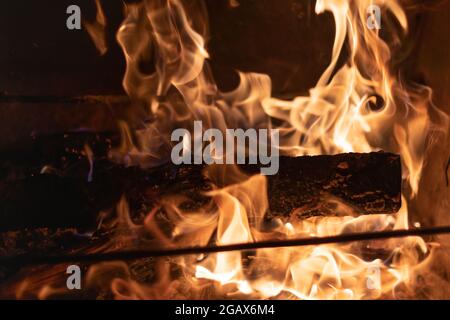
(335, 117)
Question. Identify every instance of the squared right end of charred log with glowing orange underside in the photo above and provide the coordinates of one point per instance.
(317, 185)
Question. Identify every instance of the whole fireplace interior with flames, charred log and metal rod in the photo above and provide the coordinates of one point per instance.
(87, 179)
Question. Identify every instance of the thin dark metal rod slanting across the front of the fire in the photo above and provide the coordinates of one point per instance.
(25, 260)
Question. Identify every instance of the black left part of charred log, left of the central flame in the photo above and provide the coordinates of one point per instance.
(45, 182)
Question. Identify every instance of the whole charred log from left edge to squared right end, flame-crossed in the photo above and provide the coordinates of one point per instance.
(64, 196)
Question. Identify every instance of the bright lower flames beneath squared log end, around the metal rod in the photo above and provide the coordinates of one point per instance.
(321, 272)
